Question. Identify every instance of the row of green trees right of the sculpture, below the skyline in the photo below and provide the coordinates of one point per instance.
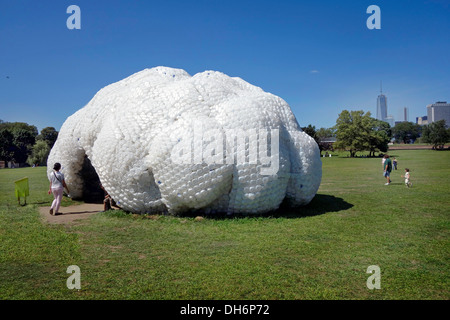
(356, 131)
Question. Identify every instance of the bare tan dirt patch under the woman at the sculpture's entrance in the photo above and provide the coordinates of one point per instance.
(71, 213)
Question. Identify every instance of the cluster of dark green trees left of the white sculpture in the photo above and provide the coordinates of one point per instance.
(22, 144)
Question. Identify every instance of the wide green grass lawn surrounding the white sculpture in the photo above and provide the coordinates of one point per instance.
(321, 251)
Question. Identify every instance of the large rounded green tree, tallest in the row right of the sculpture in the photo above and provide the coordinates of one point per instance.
(353, 129)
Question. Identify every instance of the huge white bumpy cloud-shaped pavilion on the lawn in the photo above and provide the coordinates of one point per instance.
(163, 141)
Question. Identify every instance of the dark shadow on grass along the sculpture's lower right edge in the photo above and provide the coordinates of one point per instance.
(320, 204)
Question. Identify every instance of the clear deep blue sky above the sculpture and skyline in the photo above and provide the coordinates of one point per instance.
(319, 56)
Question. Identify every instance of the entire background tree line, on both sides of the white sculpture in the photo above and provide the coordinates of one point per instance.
(355, 131)
